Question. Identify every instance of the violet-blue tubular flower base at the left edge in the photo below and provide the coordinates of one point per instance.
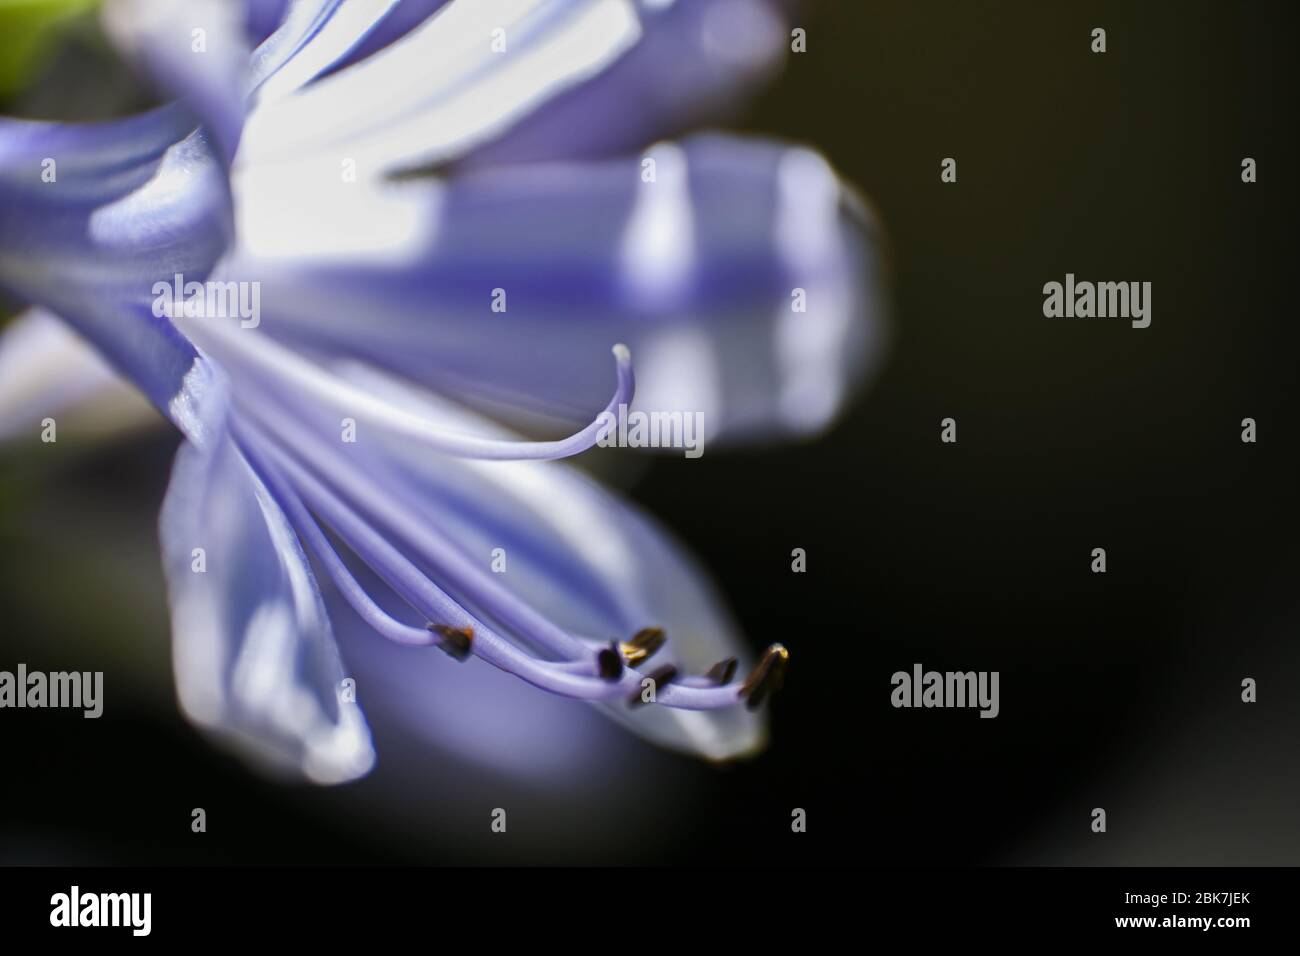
(96, 217)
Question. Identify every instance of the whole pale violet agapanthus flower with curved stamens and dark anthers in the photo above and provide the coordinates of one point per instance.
(382, 176)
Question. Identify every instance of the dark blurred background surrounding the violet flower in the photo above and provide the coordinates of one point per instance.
(1119, 691)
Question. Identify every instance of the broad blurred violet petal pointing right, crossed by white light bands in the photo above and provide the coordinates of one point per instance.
(704, 272)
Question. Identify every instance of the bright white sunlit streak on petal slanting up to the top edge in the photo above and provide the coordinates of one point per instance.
(441, 89)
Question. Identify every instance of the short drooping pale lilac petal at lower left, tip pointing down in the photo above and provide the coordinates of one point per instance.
(254, 654)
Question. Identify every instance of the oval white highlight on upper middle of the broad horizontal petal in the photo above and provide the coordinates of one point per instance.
(658, 249)
